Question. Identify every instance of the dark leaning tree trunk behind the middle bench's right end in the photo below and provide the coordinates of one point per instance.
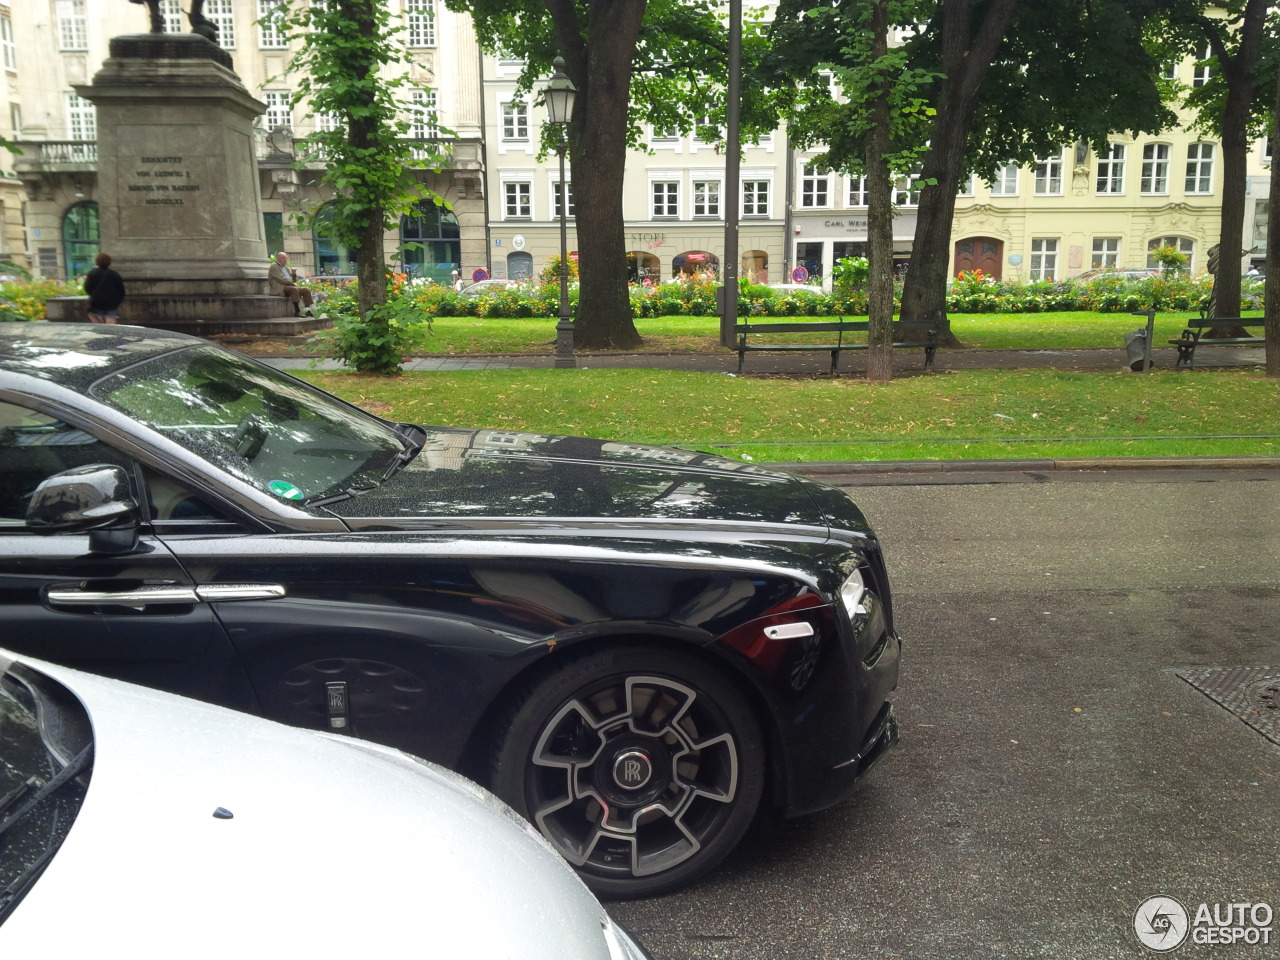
(967, 57)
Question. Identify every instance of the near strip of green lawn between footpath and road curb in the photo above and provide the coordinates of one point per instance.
(961, 415)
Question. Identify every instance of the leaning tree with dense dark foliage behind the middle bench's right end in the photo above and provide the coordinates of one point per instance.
(1016, 80)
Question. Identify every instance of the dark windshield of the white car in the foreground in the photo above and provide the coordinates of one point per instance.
(45, 764)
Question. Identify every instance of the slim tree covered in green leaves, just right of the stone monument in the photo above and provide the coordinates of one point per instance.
(349, 51)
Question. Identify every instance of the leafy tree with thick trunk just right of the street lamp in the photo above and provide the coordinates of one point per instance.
(636, 63)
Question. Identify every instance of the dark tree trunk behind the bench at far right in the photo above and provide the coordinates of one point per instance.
(1238, 72)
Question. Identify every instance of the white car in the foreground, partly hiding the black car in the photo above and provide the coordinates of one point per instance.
(149, 826)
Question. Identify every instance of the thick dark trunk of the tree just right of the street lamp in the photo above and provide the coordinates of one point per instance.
(601, 70)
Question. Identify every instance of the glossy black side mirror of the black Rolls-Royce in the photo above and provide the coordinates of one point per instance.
(93, 500)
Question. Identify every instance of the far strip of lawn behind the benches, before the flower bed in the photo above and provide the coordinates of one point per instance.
(689, 335)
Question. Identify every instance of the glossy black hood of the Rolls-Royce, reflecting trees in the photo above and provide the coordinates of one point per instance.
(504, 474)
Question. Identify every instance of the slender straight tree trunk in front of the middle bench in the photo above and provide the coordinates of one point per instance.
(880, 216)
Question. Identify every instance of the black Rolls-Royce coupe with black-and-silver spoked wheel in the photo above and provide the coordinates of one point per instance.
(636, 647)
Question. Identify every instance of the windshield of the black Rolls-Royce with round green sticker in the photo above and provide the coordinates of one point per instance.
(258, 424)
